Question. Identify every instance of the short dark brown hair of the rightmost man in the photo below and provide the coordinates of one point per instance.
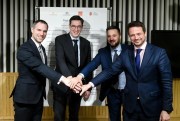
(136, 24)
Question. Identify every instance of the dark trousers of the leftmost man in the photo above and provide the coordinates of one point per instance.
(28, 112)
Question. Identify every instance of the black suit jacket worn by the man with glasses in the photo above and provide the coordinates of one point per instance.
(65, 56)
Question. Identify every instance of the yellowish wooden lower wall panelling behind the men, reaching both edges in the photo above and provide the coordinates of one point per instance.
(90, 113)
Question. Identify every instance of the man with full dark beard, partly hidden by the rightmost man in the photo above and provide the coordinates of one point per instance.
(112, 89)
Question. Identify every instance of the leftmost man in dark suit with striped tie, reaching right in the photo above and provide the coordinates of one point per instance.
(29, 90)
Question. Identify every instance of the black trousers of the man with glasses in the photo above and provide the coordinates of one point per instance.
(59, 106)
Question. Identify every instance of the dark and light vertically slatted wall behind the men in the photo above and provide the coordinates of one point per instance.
(18, 15)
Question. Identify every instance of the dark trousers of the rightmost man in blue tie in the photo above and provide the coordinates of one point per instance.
(138, 114)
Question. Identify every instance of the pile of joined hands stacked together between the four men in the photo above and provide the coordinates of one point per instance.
(75, 83)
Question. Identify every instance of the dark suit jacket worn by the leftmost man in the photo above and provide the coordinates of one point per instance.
(30, 84)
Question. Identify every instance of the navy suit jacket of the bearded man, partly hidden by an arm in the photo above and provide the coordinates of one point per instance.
(104, 59)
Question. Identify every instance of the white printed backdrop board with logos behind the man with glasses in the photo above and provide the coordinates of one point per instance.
(94, 29)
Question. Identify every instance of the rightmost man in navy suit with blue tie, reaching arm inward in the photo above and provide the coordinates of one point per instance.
(148, 90)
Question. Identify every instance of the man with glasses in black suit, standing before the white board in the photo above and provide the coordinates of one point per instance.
(72, 52)
